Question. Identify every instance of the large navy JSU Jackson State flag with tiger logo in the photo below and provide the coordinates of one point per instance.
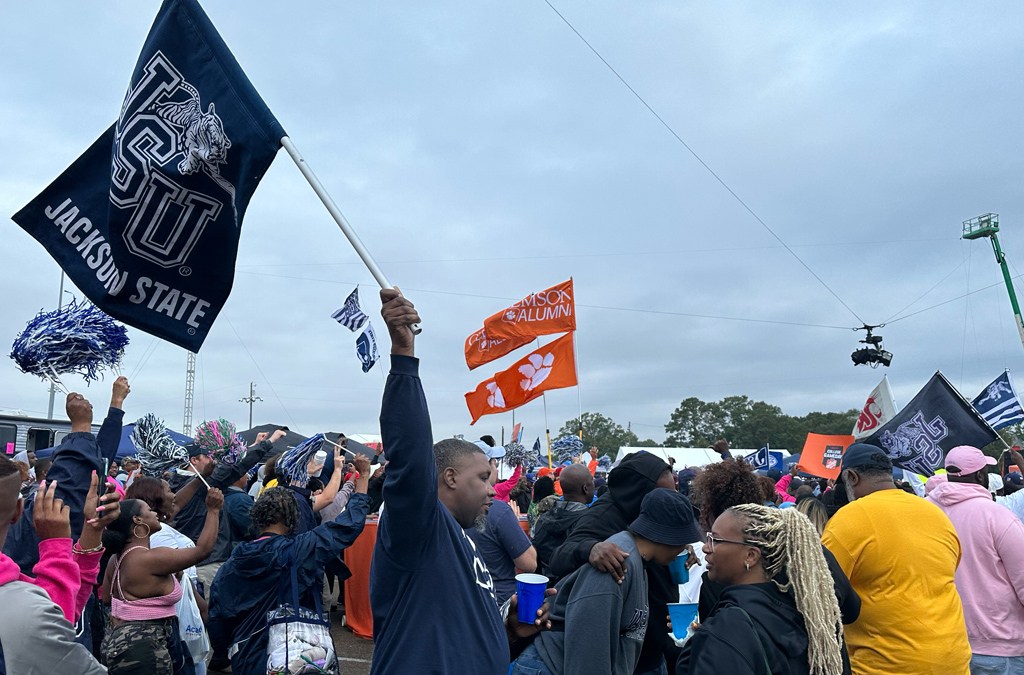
(147, 222)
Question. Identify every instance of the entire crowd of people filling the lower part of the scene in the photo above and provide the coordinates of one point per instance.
(238, 565)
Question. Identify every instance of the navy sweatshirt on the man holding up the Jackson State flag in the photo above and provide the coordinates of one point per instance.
(433, 598)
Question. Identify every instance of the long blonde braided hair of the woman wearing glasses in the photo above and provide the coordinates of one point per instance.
(790, 544)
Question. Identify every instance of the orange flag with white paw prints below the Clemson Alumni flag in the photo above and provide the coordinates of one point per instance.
(550, 367)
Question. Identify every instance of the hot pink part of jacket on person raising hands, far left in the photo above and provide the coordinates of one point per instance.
(68, 578)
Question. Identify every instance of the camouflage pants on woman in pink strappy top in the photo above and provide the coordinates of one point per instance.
(147, 648)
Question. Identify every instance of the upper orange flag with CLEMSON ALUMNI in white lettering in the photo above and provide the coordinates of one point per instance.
(545, 313)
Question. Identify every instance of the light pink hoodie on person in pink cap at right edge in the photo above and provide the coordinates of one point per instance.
(991, 576)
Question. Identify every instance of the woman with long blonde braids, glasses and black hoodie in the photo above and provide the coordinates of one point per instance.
(778, 615)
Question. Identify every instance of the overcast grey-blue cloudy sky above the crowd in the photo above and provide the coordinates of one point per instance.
(484, 152)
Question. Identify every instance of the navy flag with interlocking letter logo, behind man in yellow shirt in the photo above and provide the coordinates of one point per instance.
(937, 420)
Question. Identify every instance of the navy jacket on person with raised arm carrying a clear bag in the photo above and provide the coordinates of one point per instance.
(258, 579)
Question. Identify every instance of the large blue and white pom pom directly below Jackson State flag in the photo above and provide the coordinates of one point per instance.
(76, 339)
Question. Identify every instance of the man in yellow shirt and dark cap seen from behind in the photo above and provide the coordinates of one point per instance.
(901, 554)
